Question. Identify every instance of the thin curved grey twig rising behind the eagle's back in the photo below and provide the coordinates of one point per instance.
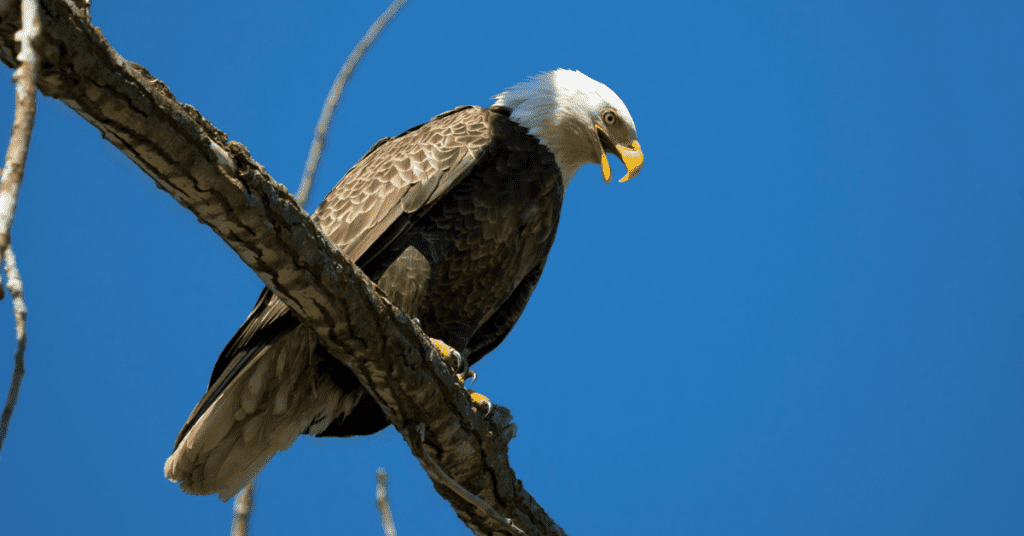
(327, 114)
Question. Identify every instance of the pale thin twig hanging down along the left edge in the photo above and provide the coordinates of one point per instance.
(11, 183)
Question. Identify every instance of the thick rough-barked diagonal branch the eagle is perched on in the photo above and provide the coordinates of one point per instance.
(231, 193)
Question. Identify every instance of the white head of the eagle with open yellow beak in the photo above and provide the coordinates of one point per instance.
(580, 119)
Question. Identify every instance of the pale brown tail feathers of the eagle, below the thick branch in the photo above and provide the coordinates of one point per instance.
(278, 395)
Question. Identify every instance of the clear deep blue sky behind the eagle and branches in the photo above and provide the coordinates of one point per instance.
(805, 316)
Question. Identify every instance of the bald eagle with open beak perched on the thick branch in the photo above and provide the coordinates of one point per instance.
(453, 220)
